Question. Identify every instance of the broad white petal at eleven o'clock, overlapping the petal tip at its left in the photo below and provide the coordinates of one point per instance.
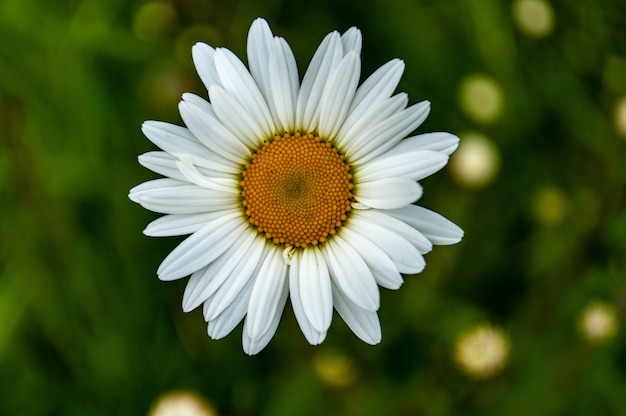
(237, 80)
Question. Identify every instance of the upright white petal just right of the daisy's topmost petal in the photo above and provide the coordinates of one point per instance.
(284, 84)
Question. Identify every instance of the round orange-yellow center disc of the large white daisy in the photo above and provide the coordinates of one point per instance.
(297, 190)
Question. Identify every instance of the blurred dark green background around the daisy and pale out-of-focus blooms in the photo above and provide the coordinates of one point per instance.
(86, 328)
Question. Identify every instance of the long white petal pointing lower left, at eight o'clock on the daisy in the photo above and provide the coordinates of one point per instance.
(202, 247)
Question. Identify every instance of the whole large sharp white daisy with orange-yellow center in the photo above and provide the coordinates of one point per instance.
(289, 189)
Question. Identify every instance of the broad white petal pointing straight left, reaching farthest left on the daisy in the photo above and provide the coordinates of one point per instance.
(169, 196)
